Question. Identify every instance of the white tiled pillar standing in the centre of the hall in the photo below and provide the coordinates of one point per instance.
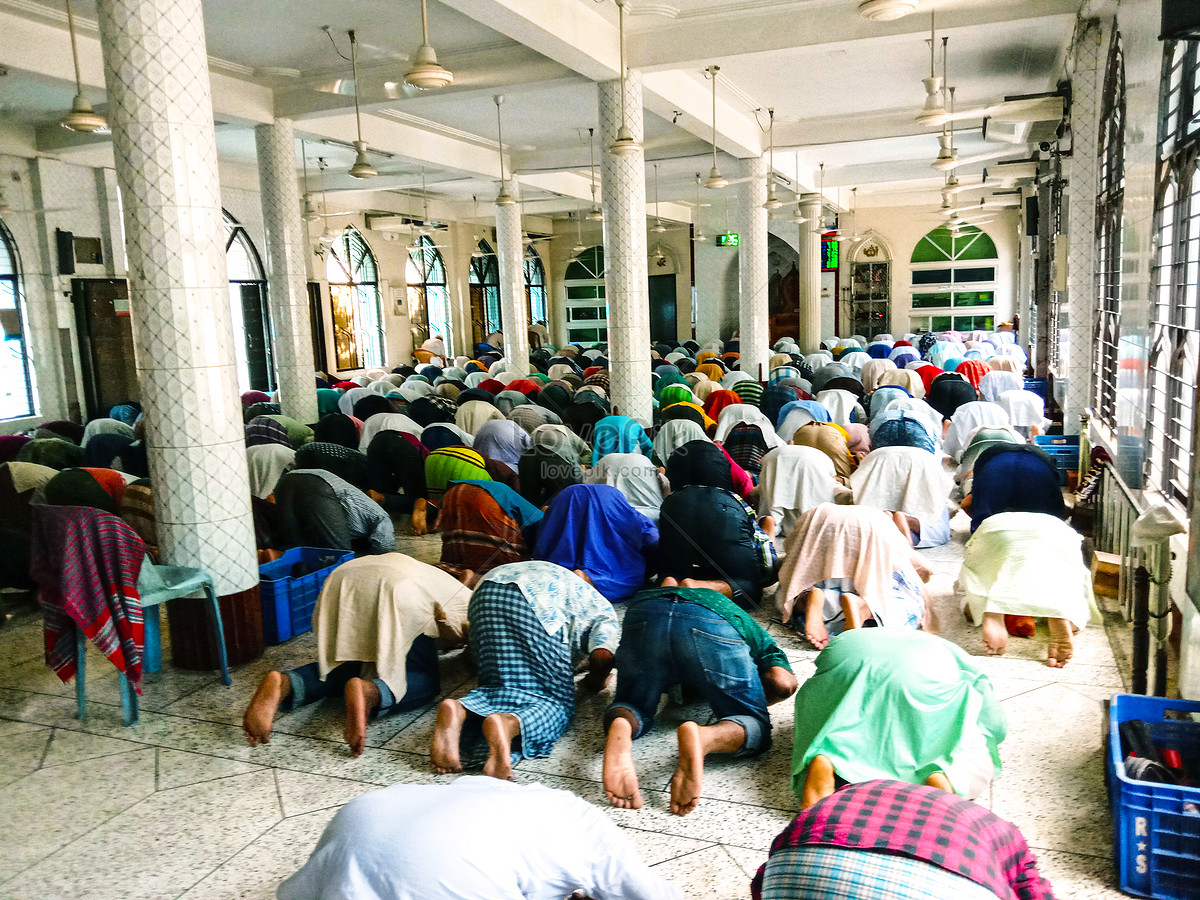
(626, 272)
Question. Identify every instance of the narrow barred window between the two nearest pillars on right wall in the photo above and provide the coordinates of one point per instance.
(1109, 235)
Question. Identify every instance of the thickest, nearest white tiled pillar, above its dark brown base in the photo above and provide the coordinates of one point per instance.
(160, 110)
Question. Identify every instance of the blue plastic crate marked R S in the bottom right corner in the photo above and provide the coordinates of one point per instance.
(1156, 829)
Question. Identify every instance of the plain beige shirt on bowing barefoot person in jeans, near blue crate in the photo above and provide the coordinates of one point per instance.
(373, 609)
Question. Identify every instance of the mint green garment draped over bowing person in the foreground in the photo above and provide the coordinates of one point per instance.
(893, 704)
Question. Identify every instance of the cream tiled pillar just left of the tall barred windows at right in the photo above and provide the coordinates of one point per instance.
(1087, 85)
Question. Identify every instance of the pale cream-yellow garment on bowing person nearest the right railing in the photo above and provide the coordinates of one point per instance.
(1027, 565)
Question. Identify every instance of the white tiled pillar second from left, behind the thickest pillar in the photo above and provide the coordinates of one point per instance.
(286, 257)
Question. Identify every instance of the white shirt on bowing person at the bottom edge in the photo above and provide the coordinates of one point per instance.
(475, 839)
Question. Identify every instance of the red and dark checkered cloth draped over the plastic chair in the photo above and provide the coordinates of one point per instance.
(87, 565)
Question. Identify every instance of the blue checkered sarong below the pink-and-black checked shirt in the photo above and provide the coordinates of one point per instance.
(824, 873)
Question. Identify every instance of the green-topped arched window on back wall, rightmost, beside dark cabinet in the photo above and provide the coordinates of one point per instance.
(955, 281)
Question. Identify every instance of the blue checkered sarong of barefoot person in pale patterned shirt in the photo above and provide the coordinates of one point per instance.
(523, 671)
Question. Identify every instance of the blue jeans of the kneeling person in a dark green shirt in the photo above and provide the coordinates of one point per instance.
(664, 643)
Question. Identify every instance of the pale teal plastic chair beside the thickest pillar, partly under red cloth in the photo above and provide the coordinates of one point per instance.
(157, 585)
